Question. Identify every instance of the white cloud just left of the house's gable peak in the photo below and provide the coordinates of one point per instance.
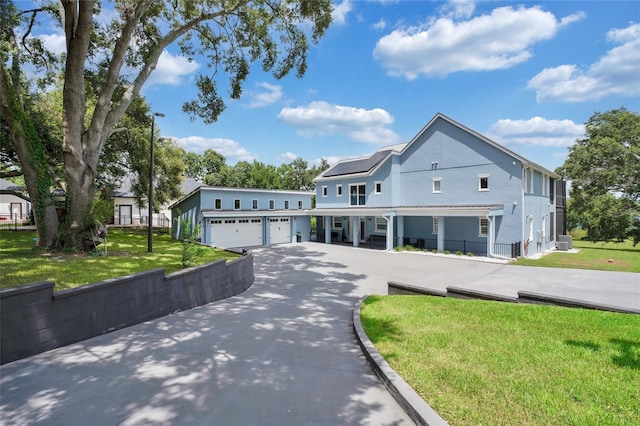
(358, 124)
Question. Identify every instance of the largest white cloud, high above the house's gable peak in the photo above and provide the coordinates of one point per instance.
(499, 40)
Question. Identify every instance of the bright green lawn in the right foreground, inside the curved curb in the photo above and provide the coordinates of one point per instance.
(479, 362)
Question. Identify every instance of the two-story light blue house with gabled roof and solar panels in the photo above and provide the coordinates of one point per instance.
(449, 188)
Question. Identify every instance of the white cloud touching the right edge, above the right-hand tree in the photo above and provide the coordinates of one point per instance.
(616, 73)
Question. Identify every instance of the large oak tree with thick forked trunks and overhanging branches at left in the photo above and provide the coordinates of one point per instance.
(230, 34)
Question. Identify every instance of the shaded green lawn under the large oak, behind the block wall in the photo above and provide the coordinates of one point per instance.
(126, 253)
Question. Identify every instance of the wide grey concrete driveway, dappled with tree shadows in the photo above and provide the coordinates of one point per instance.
(282, 353)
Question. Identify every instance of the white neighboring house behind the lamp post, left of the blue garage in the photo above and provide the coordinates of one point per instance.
(128, 212)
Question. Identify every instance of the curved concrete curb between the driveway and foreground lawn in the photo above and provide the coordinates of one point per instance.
(419, 411)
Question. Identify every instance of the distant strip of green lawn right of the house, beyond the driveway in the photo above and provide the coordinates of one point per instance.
(593, 255)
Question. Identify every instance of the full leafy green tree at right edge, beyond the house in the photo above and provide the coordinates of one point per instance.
(604, 170)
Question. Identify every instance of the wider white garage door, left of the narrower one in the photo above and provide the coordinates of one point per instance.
(242, 232)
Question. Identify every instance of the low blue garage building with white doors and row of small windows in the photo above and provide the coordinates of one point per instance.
(238, 217)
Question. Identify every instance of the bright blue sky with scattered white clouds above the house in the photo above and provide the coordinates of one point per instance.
(527, 75)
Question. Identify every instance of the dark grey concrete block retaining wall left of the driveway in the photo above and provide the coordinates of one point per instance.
(34, 319)
